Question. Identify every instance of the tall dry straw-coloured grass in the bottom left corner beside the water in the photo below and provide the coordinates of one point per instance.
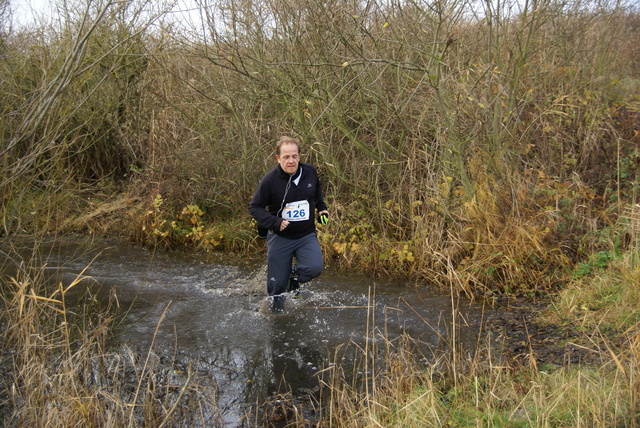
(60, 369)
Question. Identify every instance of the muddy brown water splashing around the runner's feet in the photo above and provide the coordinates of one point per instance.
(212, 310)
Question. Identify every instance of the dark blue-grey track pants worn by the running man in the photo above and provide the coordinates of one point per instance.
(280, 253)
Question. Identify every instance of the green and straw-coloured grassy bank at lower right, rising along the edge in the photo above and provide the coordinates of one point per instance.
(490, 390)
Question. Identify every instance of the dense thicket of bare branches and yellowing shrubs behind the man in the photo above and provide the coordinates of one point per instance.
(487, 145)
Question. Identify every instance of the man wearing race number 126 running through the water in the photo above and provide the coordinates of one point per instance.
(285, 203)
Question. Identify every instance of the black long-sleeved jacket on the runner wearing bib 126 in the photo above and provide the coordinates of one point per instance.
(277, 189)
